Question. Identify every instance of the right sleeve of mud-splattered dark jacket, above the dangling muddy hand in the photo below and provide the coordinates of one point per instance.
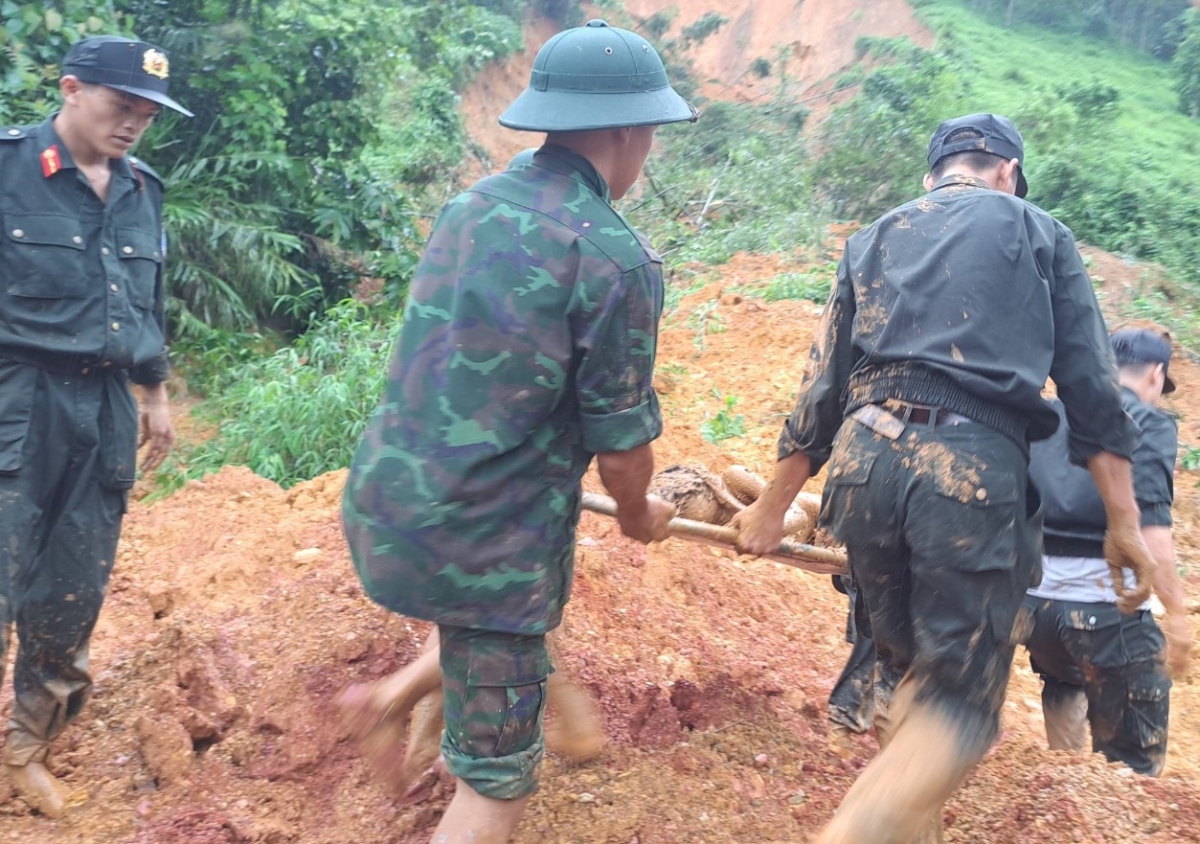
(1083, 370)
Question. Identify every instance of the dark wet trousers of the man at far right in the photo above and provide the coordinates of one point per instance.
(1103, 666)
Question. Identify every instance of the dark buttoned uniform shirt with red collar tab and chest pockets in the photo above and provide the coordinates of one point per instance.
(81, 282)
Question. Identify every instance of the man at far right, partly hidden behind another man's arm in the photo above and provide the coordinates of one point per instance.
(1097, 665)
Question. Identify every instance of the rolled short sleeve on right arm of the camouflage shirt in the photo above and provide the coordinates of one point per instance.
(616, 343)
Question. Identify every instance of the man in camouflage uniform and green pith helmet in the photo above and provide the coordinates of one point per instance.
(527, 349)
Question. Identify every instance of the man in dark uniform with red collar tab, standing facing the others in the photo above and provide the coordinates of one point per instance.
(81, 318)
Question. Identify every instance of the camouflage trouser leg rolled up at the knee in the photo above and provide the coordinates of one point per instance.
(495, 687)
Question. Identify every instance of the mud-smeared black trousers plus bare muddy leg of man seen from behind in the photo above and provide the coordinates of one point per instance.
(943, 546)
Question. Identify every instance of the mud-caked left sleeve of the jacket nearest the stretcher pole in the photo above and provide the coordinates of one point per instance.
(821, 404)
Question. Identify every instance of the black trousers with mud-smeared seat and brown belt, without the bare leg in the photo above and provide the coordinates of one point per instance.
(944, 540)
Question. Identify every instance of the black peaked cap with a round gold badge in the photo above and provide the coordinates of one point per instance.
(125, 65)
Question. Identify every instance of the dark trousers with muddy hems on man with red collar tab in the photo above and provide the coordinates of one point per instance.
(68, 446)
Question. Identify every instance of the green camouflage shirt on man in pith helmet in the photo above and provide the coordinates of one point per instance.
(527, 348)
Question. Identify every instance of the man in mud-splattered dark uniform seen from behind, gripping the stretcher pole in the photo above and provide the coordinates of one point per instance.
(923, 392)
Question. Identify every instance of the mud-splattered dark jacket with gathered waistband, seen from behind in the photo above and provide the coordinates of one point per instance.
(964, 300)
